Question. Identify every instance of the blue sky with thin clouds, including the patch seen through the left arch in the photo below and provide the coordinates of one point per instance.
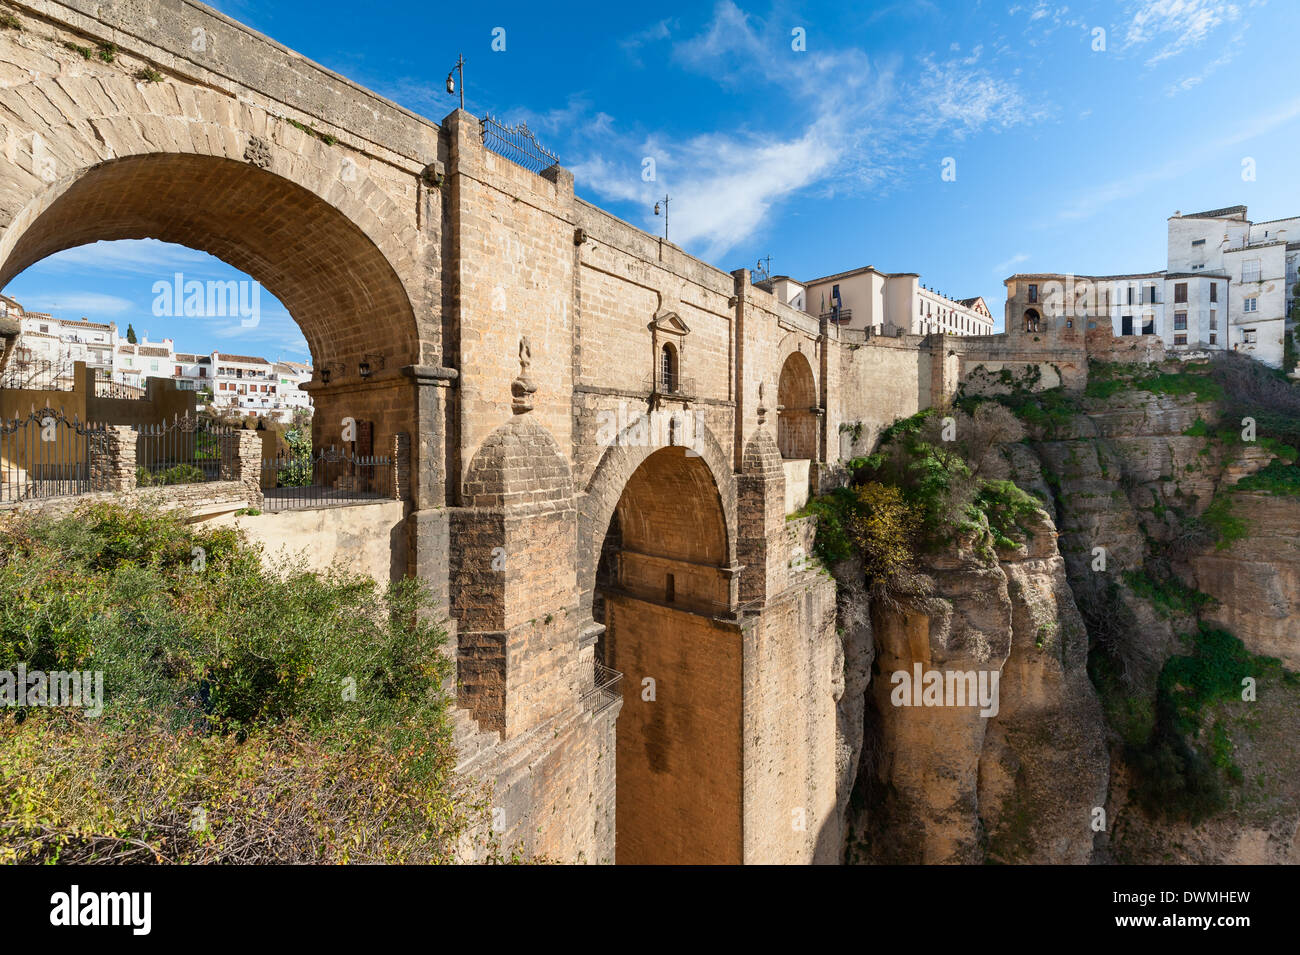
(1068, 157)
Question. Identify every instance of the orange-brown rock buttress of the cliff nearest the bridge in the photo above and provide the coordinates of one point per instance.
(947, 784)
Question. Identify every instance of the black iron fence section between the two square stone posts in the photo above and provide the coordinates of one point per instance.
(188, 450)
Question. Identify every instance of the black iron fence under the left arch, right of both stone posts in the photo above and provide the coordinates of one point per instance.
(326, 479)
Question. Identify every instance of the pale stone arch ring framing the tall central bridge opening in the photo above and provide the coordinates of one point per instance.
(613, 472)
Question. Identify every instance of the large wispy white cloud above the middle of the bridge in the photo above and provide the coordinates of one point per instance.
(861, 124)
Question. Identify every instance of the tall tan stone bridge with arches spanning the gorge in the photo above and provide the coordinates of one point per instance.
(606, 432)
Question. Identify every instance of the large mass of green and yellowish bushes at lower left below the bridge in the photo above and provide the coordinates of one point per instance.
(304, 713)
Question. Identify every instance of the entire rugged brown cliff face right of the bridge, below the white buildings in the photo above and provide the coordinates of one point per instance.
(1063, 772)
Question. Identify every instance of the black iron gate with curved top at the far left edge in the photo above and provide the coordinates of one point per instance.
(49, 455)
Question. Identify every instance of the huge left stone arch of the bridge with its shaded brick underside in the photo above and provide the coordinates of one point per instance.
(98, 157)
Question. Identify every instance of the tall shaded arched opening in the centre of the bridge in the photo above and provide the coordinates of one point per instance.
(662, 593)
